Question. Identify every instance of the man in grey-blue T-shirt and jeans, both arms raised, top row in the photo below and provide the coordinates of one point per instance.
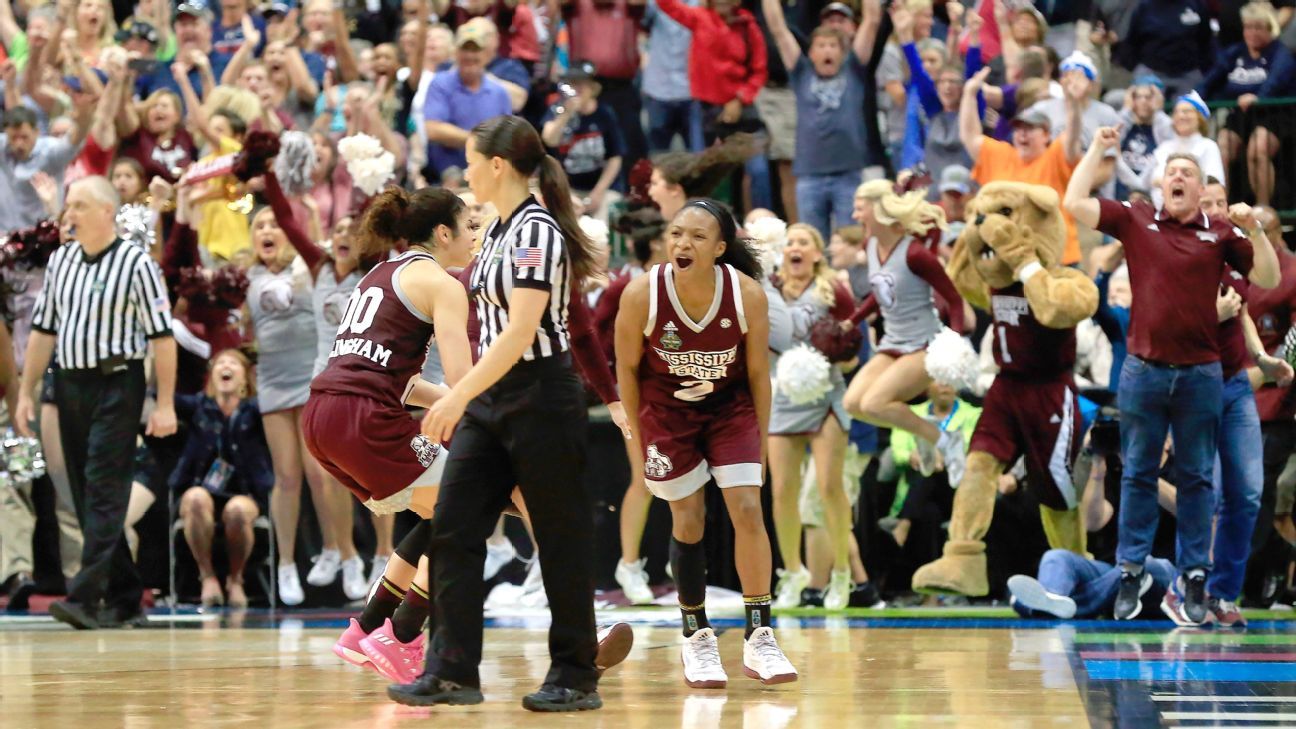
(830, 86)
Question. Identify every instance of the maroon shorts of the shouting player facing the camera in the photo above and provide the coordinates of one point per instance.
(686, 447)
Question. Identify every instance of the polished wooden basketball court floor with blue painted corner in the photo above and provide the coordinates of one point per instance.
(918, 667)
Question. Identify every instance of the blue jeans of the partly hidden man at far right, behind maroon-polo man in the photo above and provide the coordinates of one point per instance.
(1242, 479)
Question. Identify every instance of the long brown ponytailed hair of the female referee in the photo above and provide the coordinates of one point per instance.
(516, 141)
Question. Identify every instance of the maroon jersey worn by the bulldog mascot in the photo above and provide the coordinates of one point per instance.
(1023, 347)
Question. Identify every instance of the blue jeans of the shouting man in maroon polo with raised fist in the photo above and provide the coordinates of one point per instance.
(1186, 403)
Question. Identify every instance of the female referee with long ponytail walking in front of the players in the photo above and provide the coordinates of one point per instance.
(522, 420)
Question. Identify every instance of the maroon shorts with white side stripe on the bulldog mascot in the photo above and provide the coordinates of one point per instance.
(1040, 422)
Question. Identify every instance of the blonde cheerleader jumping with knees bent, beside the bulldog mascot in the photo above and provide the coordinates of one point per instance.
(905, 277)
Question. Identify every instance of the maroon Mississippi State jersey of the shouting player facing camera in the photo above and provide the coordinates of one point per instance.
(686, 361)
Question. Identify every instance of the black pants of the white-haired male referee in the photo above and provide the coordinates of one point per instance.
(99, 417)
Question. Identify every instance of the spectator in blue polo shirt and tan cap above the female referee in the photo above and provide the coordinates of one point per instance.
(458, 101)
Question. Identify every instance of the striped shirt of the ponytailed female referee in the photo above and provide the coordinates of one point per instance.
(526, 251)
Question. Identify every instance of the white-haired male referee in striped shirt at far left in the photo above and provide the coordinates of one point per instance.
(102, 300)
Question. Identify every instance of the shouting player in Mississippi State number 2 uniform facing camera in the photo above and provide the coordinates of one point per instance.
(693, 364)
